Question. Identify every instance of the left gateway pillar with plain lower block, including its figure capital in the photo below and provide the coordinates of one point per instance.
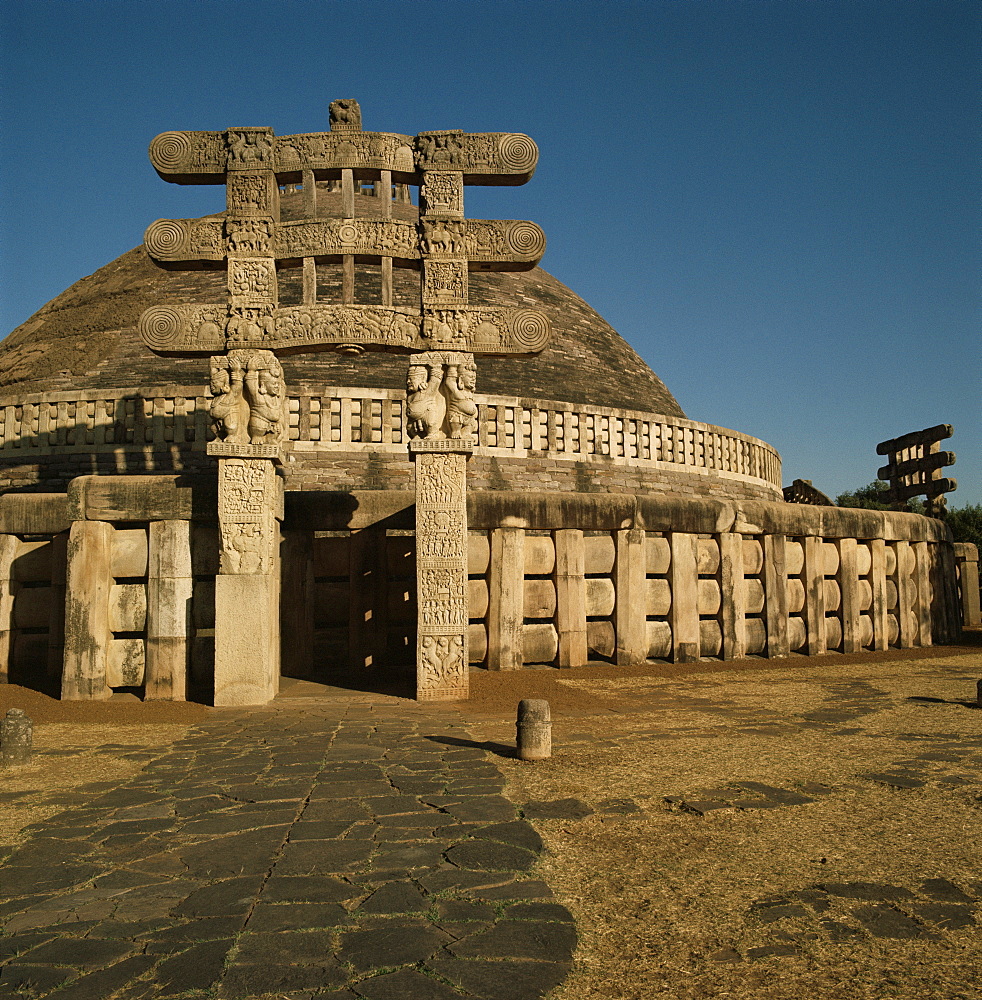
(250, 509)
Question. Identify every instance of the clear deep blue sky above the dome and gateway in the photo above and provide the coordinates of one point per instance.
(776, 202)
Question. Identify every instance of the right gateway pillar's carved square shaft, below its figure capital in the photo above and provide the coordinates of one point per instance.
(441, 568)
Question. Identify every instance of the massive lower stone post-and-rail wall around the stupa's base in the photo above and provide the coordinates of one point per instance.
(553, 579)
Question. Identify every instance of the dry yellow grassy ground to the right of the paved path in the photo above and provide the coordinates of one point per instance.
(663, 897)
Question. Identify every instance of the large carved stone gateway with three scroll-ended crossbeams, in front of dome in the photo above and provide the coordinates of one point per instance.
(440, 329)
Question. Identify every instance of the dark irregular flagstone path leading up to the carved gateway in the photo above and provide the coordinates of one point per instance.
(335, 851)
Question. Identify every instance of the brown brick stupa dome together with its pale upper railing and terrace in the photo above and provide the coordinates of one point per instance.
(82, 393)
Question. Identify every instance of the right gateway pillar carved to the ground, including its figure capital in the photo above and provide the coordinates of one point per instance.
(442, 417)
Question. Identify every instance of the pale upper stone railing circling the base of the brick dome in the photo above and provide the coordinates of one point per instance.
(351, 419)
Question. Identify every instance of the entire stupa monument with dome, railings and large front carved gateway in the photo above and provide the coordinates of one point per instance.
(340, 432)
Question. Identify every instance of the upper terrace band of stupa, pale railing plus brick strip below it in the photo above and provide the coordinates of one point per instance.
(356, 439)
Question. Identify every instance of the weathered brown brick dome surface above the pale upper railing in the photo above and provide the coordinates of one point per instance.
(87, 338)
